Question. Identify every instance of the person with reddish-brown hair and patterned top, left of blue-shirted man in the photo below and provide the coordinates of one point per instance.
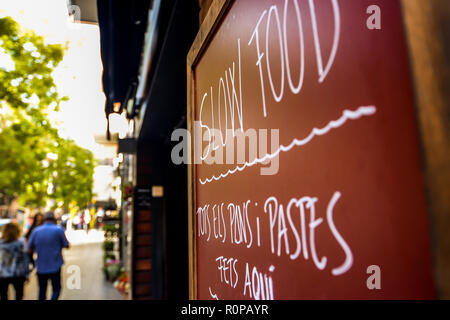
(13, 261)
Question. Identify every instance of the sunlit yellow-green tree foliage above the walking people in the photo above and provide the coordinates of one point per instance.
(35, 163)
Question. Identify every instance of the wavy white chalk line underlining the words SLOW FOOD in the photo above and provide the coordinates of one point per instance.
(334, 124)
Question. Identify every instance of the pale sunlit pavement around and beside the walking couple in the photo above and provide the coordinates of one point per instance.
(85, 252)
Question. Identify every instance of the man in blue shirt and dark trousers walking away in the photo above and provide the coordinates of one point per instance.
(48, 241)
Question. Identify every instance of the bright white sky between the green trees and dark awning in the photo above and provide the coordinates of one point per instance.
(79, 74)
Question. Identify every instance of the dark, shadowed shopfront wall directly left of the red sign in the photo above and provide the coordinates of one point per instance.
(163, 229)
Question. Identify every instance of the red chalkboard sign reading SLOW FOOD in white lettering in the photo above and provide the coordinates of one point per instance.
(305, 179)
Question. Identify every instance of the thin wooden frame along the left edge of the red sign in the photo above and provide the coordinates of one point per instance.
(210, 24)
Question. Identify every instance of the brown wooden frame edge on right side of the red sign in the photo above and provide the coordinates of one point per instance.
(430, 73)
